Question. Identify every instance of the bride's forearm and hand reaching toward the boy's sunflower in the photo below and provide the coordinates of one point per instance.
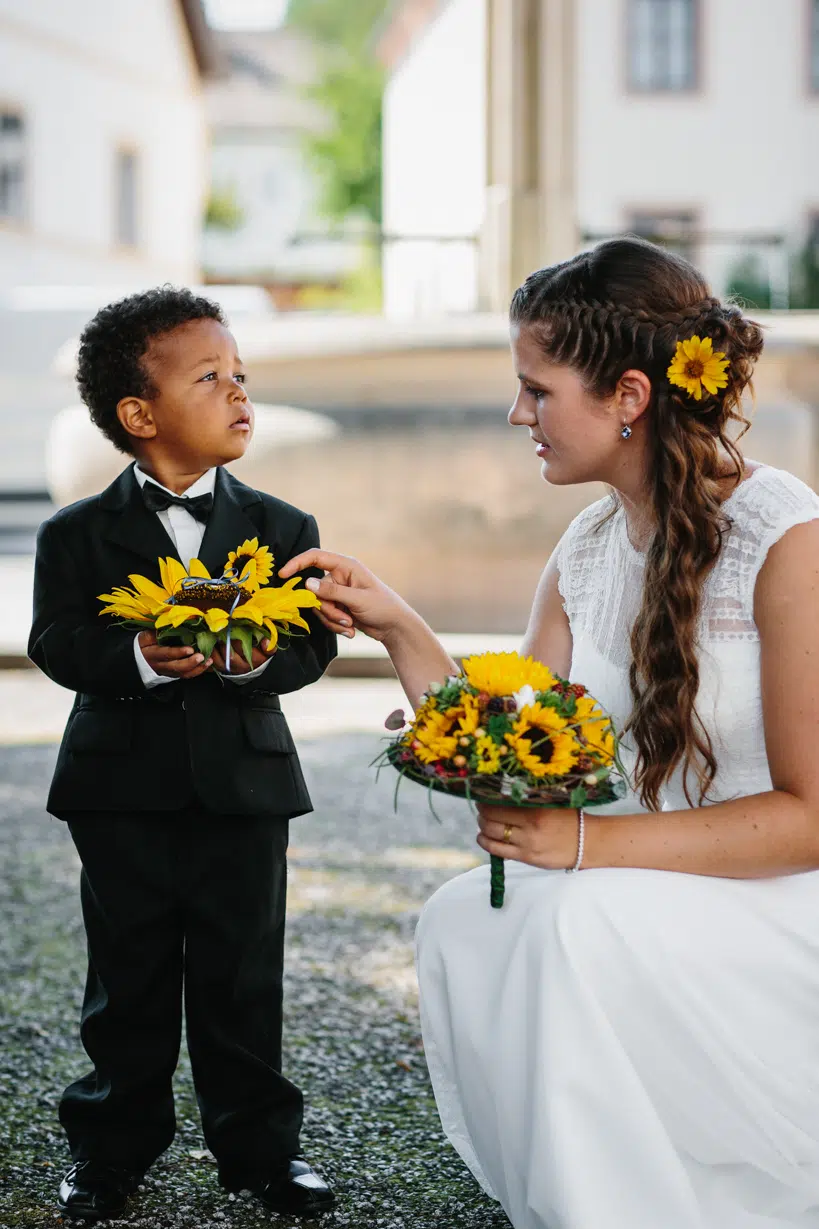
(354, 598)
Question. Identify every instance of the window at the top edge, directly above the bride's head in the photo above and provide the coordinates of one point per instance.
(663, 44)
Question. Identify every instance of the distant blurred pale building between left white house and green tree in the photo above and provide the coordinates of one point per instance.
(264, 226)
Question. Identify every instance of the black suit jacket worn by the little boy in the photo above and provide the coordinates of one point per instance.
(133, 749)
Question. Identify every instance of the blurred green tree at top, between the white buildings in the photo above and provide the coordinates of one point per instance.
(347, 157)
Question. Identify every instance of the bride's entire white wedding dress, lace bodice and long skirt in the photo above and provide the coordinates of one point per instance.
(631, 1049)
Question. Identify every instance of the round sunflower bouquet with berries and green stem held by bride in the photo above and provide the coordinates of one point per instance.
(508, 732)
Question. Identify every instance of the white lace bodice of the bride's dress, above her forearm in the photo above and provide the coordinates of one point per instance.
(602, 582)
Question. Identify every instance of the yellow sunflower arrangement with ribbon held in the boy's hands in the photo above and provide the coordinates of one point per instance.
(191, 608)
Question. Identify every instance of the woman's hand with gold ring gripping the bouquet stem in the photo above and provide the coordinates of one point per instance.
(543, 836)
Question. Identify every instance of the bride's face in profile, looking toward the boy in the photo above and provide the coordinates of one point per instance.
(576, 436)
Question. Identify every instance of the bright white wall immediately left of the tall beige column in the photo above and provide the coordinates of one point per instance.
(435, 167)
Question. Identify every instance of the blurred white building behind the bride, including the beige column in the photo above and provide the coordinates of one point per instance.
(518, 131)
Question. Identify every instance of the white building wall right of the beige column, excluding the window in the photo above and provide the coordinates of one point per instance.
(740, 154)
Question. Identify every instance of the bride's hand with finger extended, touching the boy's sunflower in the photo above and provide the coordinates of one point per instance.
(351, 595)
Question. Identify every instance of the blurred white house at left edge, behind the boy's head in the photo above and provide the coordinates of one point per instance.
(103, 141)
